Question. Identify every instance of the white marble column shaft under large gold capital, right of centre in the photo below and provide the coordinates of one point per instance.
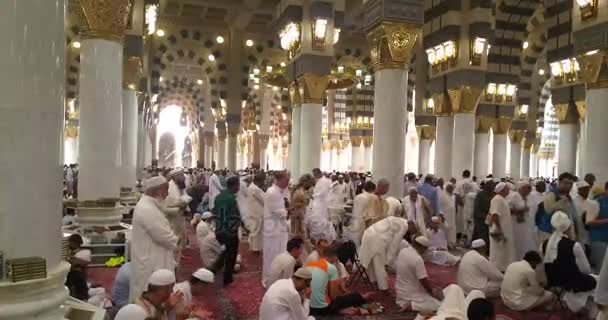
(390, 120)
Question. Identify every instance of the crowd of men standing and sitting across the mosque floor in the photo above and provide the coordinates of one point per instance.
(522, 241)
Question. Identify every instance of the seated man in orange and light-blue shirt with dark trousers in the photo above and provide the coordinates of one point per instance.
(324, 277)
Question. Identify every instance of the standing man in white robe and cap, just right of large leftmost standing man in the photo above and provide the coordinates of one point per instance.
(177, 206)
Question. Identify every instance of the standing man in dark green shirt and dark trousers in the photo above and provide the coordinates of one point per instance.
(227, 227)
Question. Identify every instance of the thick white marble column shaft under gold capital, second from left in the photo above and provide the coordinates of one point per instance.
(100, 119)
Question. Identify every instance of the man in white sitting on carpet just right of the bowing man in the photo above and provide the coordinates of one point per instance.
(413, 288)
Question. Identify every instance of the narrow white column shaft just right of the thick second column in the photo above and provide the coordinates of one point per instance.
(129, 138)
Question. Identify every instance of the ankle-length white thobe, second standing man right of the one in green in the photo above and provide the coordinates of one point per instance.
(276, 228)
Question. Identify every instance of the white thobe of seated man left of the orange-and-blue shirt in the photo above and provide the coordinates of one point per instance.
(283, 302)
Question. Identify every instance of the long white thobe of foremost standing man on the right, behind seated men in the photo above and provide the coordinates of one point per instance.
(502, 252)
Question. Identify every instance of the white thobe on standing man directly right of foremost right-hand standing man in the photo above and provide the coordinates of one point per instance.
(522, 231)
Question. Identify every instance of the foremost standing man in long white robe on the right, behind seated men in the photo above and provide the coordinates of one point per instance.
(502, 242)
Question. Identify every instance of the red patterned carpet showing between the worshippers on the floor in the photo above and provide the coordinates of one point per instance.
(241, 299)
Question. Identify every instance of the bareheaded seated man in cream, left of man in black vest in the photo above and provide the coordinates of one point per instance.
(520, 289)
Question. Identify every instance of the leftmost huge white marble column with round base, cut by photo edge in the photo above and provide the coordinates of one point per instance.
(32, 84)
